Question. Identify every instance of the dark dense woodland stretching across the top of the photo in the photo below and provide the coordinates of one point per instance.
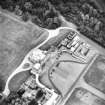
(45, 13)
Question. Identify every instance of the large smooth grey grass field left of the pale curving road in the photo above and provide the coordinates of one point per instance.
(16, 40)
